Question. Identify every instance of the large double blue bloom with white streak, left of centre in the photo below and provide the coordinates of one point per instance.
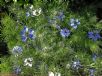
(27, 33)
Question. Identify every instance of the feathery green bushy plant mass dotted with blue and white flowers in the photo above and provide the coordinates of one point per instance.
(48, 39)
